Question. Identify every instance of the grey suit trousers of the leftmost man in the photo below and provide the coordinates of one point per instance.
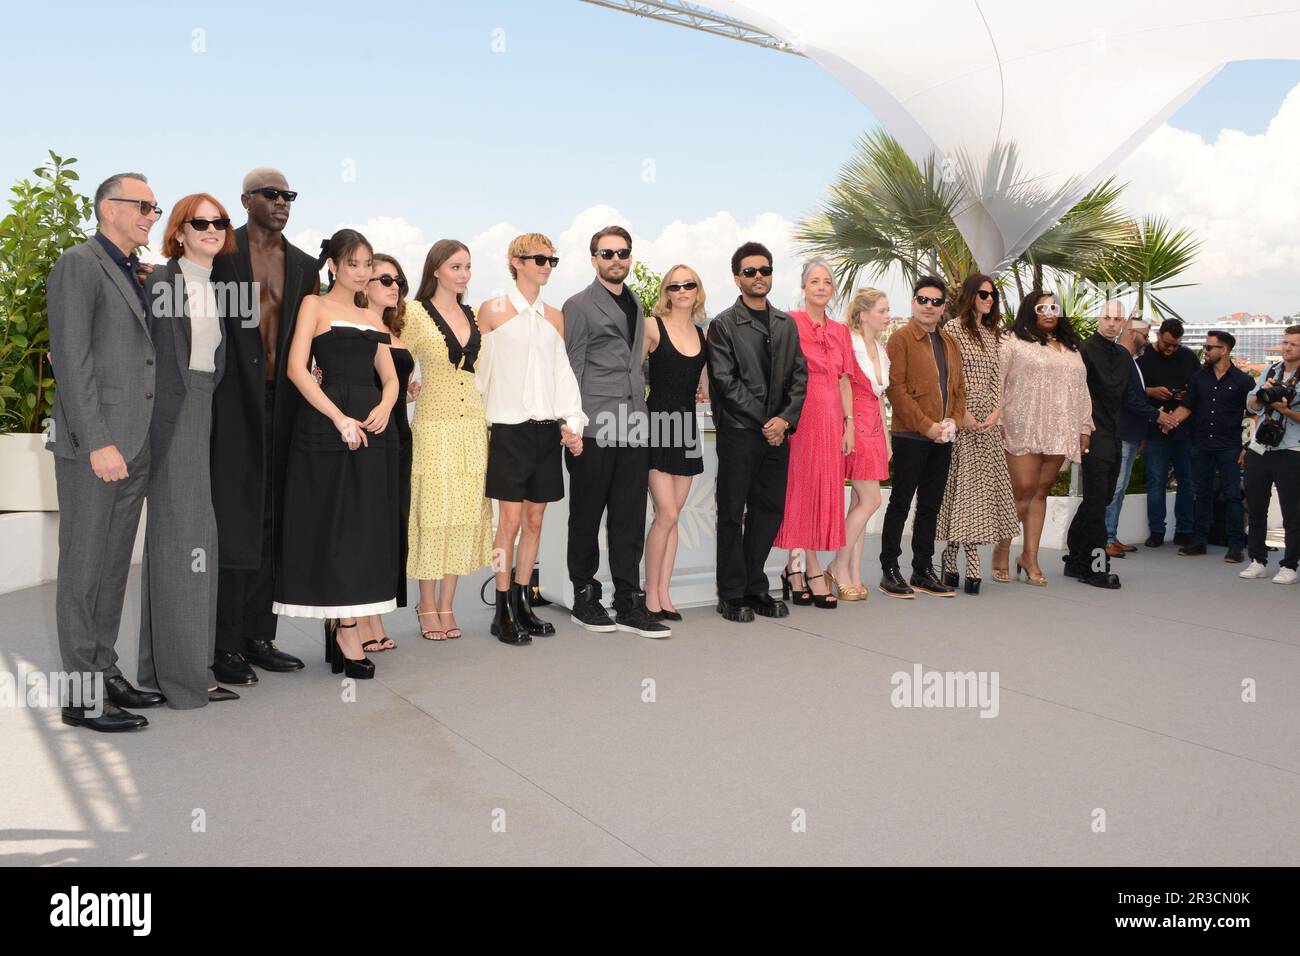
(97, 530)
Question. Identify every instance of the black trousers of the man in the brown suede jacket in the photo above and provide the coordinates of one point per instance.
(921, 471)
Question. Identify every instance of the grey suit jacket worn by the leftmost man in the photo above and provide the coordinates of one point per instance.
(102, 356)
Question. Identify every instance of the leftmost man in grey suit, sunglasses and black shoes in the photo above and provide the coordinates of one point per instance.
(103, 361)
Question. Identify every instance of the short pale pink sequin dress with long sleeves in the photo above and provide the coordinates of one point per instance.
(1046, 401)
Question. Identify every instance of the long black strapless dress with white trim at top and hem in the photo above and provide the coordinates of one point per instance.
(340, 550)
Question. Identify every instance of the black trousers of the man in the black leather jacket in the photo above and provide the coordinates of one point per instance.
(751, 496)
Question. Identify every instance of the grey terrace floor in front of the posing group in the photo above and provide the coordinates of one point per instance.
(1124, 702)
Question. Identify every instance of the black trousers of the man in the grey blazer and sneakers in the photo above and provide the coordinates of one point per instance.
(613, 479)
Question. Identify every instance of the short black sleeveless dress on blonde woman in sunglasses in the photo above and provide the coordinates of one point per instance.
(675, 434)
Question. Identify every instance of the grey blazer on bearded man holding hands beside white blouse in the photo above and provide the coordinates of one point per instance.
(608, 366)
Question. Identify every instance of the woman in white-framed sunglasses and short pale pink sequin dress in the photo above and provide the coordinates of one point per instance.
(1047, 414)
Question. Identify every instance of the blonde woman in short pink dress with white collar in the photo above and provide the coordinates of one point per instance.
(869, 464)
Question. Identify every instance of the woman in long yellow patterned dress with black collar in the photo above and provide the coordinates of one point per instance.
(450, 527)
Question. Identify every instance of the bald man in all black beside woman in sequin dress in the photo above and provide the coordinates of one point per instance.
(1110, 366)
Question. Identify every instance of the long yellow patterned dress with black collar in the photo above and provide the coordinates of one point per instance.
(450, 526)
